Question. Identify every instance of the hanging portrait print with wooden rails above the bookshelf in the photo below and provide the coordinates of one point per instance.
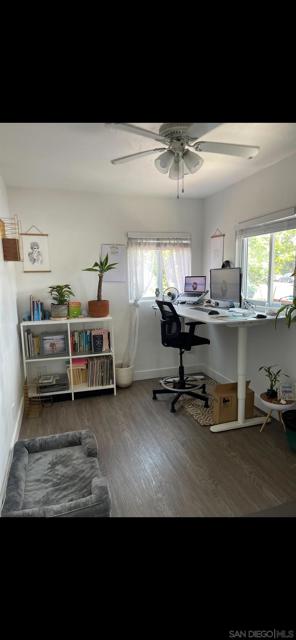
(35, 252)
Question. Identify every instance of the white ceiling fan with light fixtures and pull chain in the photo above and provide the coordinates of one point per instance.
(178, 156)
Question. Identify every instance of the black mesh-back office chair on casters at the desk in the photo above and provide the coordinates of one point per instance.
(173, 336)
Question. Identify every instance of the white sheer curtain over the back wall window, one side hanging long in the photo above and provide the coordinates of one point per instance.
(142, 252)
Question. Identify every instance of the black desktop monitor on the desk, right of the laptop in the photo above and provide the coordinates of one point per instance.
(225, 284)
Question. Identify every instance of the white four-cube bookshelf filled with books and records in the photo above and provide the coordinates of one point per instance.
(45, 365)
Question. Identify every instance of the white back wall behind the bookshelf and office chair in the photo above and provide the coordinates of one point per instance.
(77, 224)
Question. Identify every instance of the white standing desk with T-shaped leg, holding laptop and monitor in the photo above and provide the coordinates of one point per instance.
(242, 324)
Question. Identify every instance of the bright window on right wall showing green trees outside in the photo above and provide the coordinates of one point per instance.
(267, 252)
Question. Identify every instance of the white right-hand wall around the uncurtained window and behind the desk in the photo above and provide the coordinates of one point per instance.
(270, 190)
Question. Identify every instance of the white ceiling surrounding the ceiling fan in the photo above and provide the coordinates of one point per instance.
(76, 156)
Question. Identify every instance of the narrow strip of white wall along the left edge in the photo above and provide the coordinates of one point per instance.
(10, 365)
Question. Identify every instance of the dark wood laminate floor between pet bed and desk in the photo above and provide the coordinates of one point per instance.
(163, 464)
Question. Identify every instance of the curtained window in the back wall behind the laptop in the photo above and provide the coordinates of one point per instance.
(157, 261)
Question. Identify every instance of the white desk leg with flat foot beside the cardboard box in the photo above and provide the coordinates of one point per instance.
(241, 388)
